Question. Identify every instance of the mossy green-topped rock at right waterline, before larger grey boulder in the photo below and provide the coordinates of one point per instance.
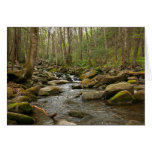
(121, 98)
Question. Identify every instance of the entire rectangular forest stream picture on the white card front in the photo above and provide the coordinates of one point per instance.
(75, 75)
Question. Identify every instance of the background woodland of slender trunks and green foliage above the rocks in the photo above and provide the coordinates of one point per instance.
(80, 46)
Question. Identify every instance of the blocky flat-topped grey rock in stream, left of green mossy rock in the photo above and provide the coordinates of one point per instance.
(92, 95)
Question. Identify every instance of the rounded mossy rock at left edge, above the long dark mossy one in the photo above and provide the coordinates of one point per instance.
(23, 107)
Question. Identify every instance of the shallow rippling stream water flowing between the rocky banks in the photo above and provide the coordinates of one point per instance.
(98, 112)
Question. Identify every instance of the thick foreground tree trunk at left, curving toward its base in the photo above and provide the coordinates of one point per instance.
(28, 70)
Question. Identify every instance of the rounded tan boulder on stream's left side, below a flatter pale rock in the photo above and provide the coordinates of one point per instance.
(49, 90)
